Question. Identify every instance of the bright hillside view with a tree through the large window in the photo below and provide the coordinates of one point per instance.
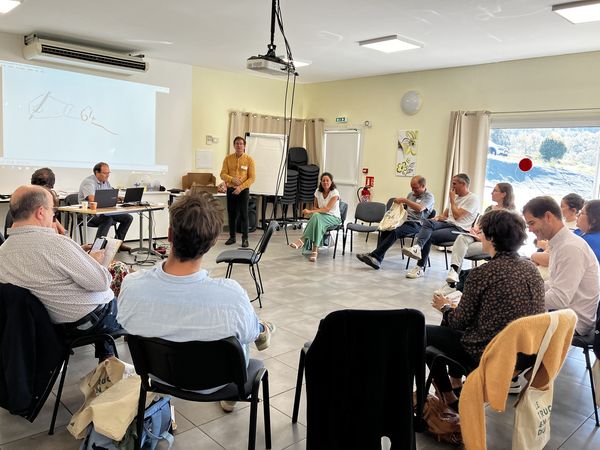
(564, 160)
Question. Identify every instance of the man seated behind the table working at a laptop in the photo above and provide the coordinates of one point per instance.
(87, 191)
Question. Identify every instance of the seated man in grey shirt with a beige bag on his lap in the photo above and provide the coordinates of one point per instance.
(419, 204)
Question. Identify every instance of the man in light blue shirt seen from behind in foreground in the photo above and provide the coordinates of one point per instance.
(177, 300)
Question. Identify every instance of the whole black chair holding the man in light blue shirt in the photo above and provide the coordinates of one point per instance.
(180, 368)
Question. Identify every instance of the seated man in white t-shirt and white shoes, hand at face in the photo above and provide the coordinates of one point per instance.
(463, 210)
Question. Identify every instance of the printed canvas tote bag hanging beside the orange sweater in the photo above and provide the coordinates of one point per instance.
(532, 409)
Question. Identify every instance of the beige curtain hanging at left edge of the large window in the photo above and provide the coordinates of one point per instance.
(467, 149)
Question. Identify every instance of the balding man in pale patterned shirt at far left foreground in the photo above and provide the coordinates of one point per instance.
(72, 284)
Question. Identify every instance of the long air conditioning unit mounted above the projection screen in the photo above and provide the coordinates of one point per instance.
(39, 49)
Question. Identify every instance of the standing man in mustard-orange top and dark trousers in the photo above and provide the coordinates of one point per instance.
(238, 174)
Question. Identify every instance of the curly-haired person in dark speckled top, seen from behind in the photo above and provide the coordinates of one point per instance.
(494, 295)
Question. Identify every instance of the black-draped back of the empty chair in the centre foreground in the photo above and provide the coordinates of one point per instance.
(361, 389)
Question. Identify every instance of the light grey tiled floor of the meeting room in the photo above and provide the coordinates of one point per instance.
(299, 294)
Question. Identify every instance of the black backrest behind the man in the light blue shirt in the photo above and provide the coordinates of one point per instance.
(193, 366)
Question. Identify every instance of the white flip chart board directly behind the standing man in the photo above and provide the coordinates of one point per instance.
(268, 152)
